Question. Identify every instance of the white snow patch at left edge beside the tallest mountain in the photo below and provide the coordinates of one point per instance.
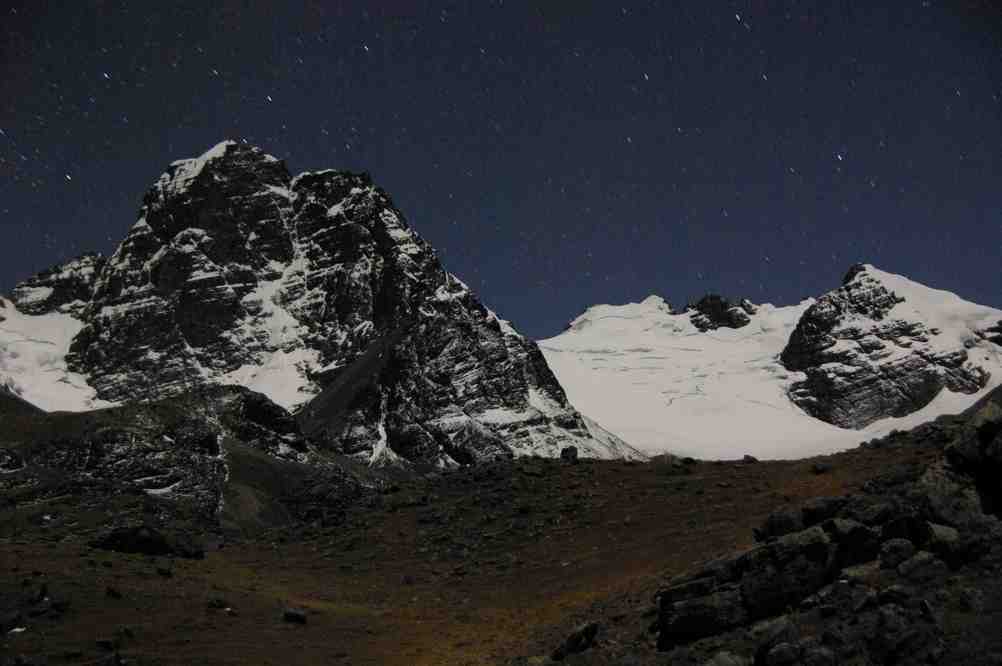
(34, 360)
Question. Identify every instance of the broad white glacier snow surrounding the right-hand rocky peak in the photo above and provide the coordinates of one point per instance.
(653, 379)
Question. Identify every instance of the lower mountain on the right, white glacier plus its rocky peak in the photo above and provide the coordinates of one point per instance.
(721, 380)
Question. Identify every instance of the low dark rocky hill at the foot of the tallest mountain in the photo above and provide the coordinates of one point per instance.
(218, 457)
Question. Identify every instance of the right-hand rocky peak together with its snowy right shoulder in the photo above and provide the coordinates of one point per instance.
(879, 347)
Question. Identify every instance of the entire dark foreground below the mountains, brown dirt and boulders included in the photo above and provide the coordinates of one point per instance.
(886, 554)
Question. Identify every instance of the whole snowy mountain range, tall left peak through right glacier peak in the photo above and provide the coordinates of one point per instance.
(314, 291)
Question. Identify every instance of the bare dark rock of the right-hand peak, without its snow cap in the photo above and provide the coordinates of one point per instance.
(861, 365)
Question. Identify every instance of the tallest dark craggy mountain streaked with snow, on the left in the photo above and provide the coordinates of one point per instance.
(311, 290)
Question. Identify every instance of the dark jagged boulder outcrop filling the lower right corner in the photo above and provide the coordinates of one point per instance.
(900, 573)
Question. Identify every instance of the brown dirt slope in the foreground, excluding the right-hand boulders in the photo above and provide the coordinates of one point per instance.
(474, 567)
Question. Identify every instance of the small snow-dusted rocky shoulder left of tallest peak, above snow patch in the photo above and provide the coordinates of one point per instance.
(66, 288)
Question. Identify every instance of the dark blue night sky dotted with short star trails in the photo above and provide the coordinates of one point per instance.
(558, 158)
